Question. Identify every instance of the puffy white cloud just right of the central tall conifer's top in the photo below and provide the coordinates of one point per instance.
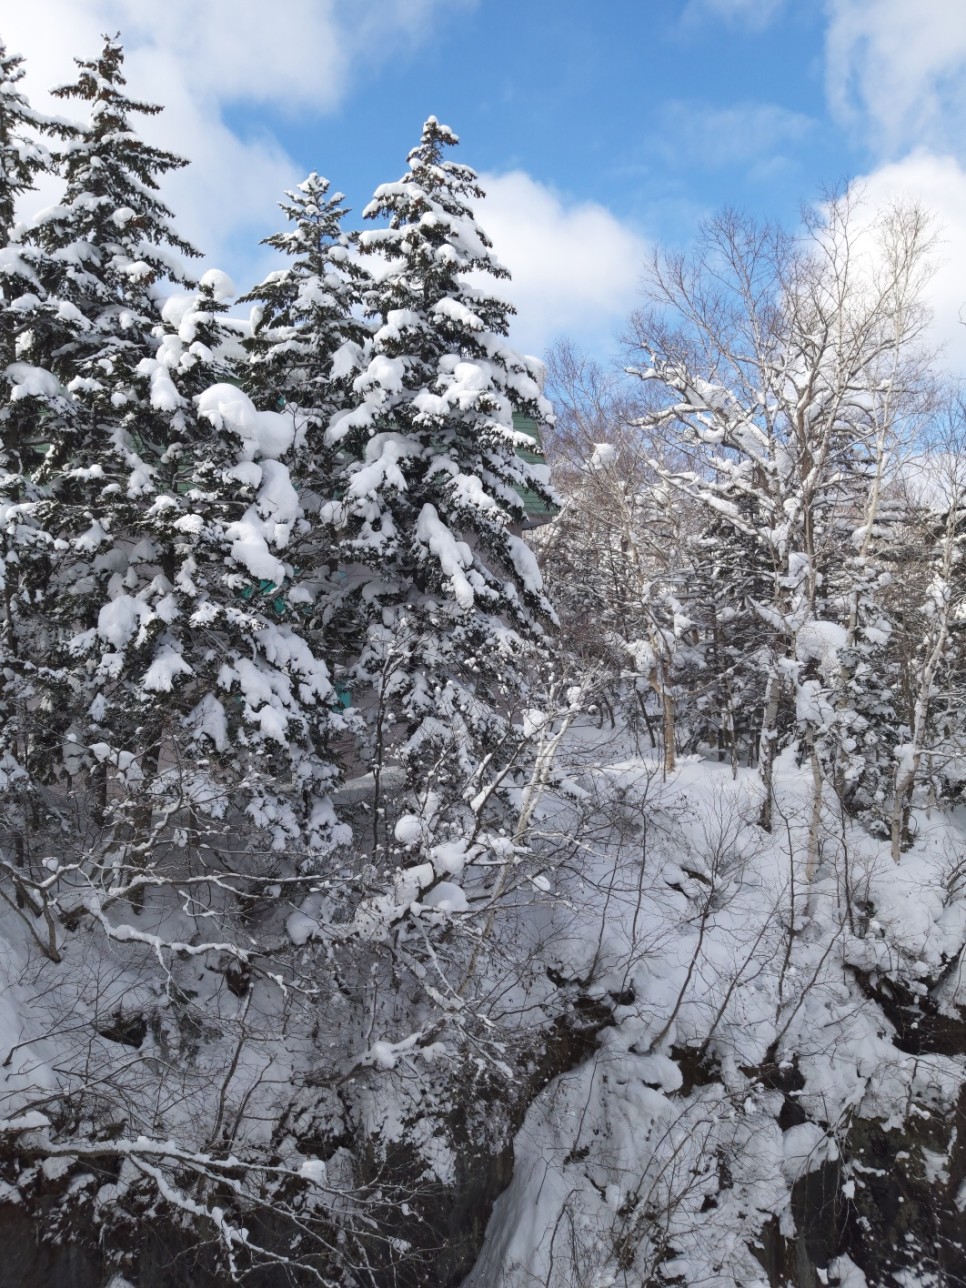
(576, 269)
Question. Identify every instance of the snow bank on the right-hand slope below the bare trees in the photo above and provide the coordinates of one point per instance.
(737, 986)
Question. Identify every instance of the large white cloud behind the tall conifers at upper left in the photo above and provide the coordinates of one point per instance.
(198, 59)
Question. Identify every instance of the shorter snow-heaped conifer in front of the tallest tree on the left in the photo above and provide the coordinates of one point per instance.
(213, 672)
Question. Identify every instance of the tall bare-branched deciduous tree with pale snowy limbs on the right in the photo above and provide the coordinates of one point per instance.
(790, 369)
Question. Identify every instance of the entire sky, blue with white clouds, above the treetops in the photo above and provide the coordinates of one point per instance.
(600, 131)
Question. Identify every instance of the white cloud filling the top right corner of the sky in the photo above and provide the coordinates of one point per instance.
(896, 71)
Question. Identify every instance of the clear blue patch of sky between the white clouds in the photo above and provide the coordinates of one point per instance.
(645, 108)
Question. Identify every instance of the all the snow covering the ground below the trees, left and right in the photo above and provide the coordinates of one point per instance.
(737, 987)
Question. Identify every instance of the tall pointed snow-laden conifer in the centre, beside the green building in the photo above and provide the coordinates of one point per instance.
(446, 594)
